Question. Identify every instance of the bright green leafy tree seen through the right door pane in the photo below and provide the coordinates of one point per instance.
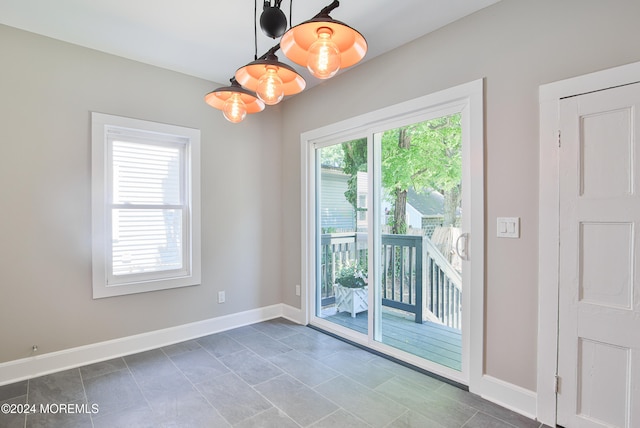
(425, 155)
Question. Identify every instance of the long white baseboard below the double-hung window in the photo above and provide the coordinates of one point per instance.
(27, 368)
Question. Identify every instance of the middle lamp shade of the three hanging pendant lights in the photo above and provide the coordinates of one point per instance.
(270, 78)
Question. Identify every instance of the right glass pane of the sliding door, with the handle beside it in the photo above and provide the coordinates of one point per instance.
(420, 274)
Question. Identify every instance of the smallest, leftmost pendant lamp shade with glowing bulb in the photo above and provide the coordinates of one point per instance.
(234, 101)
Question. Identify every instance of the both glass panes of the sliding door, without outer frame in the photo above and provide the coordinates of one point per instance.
(413, 290)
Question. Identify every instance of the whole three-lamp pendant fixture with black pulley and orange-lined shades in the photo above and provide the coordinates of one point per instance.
(321, 44)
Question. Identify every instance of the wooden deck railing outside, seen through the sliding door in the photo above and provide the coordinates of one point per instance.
(415, 275)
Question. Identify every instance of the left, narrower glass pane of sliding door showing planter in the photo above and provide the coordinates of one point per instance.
(342, 221)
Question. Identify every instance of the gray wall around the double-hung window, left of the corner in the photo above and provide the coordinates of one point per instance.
(47, 91)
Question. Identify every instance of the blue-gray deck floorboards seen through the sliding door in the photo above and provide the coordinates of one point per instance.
(432, 341)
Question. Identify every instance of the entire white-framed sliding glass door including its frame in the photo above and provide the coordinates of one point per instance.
(388, 223)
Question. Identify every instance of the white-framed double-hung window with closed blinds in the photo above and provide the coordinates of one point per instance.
(146, 199)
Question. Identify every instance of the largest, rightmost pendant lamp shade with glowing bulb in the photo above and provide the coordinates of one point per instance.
(324, 45)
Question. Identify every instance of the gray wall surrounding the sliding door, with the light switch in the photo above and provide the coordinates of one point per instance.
(516, 45)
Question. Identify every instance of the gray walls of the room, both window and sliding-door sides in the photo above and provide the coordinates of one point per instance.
(251, 172)
